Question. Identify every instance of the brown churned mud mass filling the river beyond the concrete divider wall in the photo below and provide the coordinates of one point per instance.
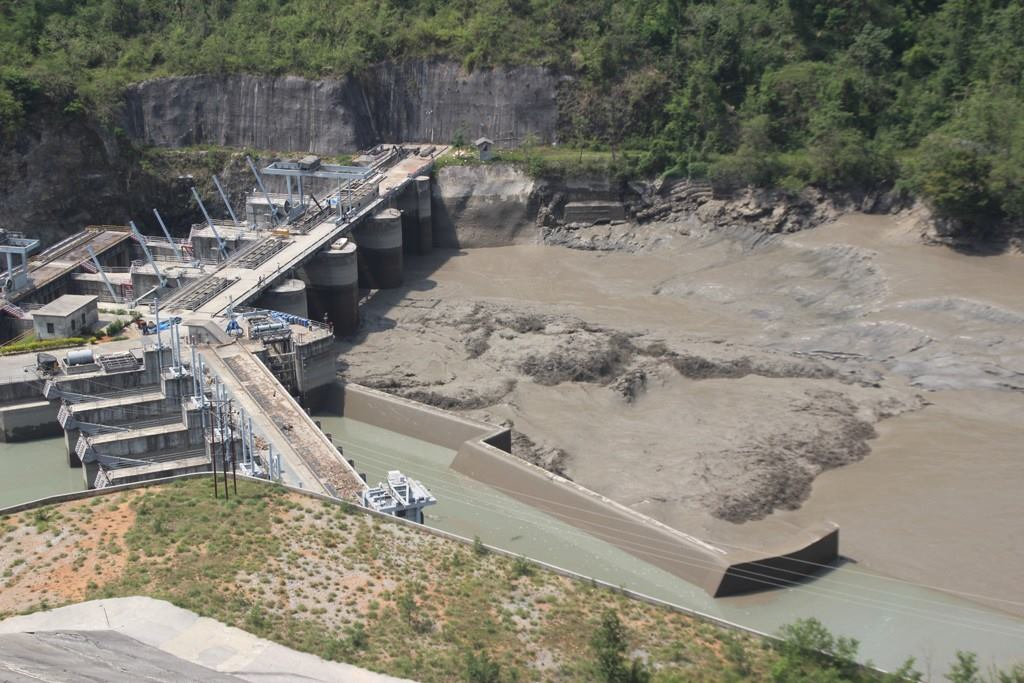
(711, 376)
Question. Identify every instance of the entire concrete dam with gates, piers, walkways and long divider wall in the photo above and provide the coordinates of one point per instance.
(246, 314)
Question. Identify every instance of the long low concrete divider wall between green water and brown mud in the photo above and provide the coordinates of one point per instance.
(483, 453)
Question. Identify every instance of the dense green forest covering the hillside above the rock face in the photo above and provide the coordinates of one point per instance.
(924, 96)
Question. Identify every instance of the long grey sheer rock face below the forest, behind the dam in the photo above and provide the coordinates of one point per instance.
(416, 102)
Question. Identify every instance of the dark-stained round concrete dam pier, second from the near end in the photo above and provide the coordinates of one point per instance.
(334, 286)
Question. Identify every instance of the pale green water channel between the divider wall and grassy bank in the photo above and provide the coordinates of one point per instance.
(892, 620)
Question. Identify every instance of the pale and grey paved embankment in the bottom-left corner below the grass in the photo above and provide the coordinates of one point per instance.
(104, 641)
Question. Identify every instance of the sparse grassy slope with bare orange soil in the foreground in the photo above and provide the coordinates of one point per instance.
(324, 578)
